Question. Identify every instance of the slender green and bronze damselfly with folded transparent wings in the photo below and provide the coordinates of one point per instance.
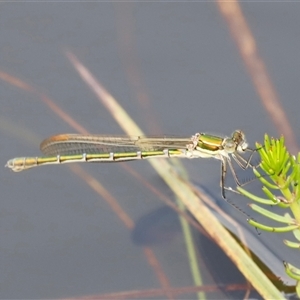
(68, 148)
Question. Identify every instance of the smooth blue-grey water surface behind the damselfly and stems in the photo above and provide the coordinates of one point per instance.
(176, 70)
